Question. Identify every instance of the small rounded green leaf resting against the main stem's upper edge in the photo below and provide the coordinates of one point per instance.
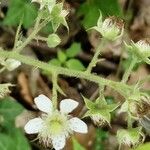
(75, 64)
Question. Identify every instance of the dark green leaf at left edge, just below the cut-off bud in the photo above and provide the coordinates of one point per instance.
(9, 109)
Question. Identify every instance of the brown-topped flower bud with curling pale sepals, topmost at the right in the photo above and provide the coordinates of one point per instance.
(111, 28)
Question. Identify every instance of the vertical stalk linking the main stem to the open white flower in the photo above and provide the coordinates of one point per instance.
(54, 97)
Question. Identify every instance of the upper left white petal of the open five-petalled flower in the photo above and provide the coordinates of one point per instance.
(43, 103)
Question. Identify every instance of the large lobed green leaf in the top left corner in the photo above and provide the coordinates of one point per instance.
(18, 9)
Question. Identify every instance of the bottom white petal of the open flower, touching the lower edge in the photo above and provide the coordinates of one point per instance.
(58, 142)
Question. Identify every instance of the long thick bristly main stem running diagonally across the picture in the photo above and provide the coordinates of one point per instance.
(64, 71)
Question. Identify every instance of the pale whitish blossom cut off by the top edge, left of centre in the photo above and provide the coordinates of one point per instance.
(46, 3)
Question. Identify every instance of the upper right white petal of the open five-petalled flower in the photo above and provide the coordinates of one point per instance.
(68, 105)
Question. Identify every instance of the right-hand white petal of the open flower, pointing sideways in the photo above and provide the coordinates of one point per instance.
(78, 125)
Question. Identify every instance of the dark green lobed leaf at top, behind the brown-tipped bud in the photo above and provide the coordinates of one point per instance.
(90, 11)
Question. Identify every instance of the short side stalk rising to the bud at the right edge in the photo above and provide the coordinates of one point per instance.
(128, 71)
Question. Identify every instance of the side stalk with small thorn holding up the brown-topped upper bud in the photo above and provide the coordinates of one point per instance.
(95, 57)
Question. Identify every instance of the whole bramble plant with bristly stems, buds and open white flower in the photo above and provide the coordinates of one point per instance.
(54, 126)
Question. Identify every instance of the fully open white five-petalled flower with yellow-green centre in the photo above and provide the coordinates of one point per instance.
(55, 126)
